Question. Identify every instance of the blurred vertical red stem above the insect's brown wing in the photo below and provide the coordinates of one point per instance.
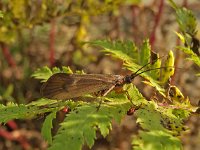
(52, 44)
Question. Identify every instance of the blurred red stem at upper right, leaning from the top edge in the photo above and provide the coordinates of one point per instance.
(157, 19)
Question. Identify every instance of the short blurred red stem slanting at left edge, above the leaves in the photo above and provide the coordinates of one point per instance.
(5, 50)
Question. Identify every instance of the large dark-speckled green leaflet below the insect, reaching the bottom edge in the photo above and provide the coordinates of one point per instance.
(81, 124)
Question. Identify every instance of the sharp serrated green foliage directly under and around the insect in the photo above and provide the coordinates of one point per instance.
(80, 125)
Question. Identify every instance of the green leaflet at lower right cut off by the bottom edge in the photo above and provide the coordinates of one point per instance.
(156, 140)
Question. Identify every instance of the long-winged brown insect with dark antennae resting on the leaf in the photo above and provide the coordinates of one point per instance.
(66, 86)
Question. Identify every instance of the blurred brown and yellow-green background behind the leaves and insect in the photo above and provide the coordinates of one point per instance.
(37, 33)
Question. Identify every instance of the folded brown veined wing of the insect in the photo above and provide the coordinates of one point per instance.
(64, 86)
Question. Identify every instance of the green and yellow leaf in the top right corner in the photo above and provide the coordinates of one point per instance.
(187, 24)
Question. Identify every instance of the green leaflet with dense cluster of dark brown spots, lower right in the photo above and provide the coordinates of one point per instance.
(153, 117)
